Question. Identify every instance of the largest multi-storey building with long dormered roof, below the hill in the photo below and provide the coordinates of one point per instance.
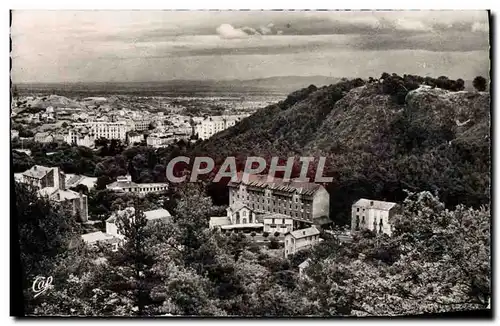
(277, 206)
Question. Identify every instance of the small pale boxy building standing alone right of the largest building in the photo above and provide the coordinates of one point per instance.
(373, 215)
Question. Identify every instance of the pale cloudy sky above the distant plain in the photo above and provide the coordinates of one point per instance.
(122, 46)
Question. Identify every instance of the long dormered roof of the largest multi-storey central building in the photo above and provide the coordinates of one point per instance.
(260, 181)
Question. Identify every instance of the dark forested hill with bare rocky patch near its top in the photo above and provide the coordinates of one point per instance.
(380, 137)
